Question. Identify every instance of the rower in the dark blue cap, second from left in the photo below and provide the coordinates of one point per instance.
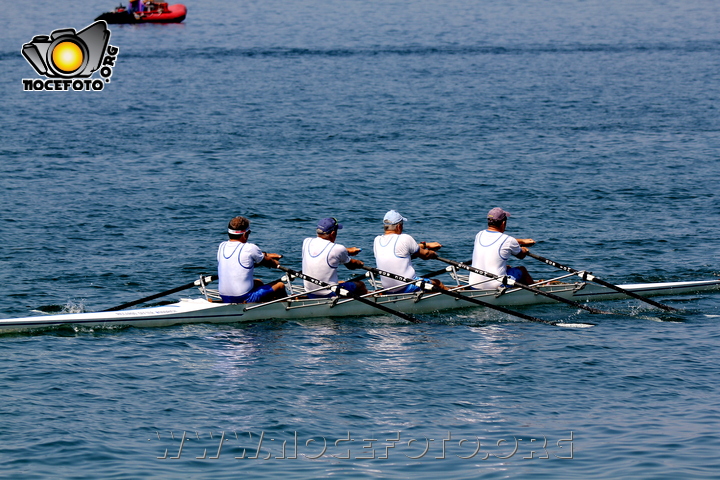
(322, 257)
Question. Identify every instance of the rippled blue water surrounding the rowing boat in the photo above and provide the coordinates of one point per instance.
(595, 123)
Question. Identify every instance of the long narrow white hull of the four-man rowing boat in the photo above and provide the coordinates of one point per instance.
(200, 310)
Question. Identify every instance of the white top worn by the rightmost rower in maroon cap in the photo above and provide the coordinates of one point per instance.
(491, 253)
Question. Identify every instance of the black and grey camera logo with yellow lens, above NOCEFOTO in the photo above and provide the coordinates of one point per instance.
(66, 53)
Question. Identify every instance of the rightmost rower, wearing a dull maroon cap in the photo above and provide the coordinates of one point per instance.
(493, 248)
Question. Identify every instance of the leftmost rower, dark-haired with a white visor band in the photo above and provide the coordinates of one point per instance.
(237, 259)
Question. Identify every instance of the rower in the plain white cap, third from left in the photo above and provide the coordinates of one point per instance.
(395, 250)
